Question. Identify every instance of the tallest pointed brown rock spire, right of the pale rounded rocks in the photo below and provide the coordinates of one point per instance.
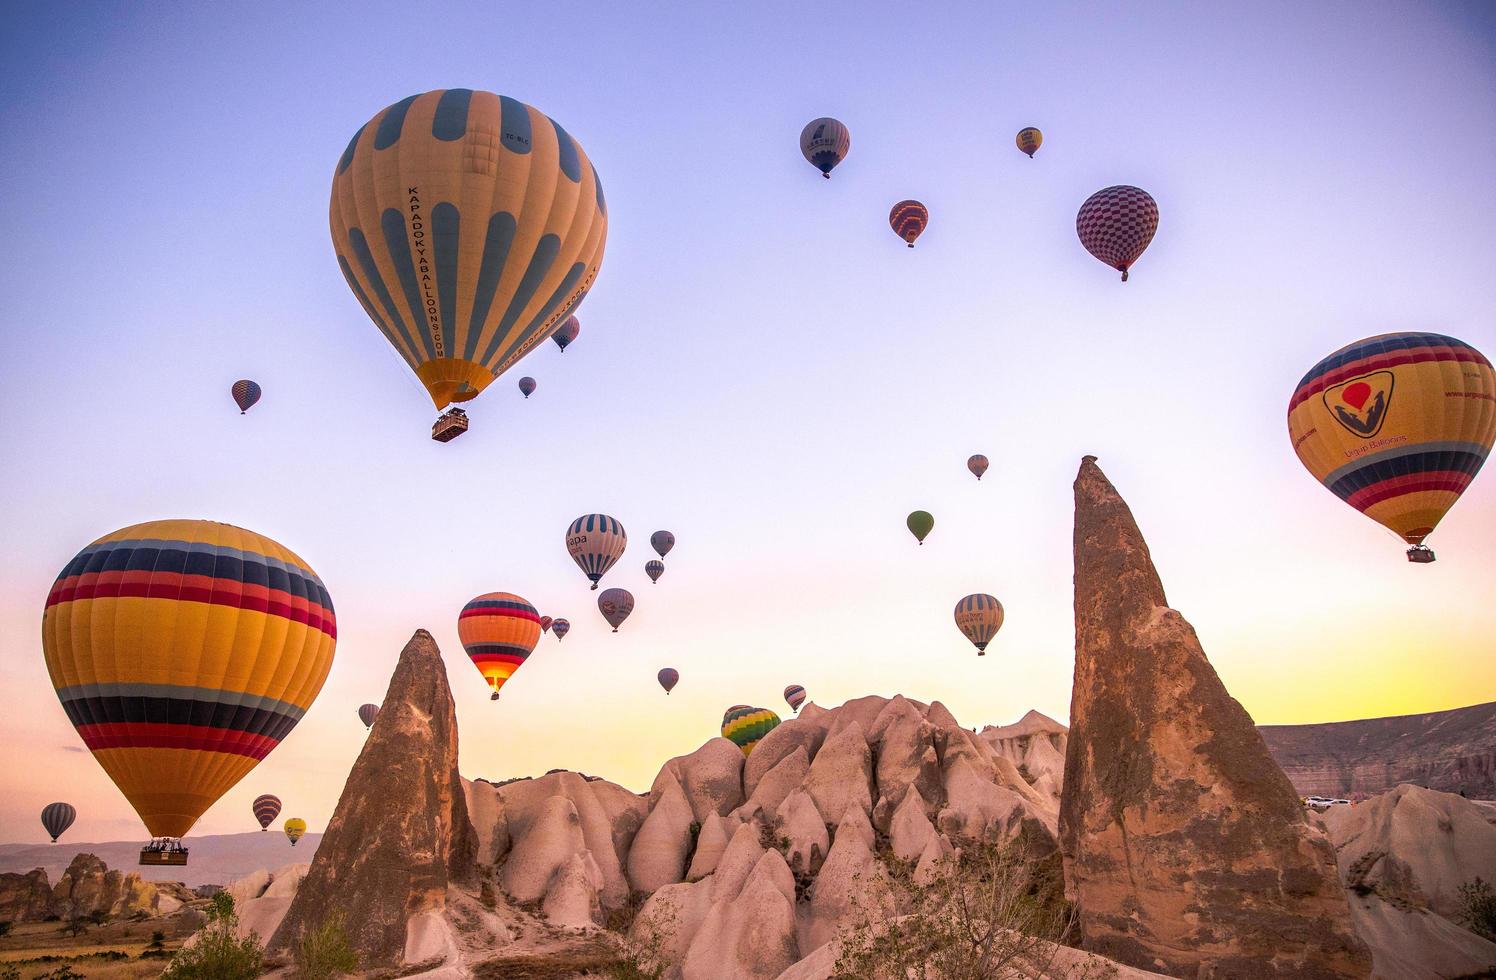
(1186, 848)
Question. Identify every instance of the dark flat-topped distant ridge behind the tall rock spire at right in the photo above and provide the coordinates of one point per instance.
(1447, 750)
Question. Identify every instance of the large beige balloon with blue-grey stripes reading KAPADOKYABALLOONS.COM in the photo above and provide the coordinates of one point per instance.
(469, 227)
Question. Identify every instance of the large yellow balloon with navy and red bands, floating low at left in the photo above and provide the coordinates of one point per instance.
(183, 653)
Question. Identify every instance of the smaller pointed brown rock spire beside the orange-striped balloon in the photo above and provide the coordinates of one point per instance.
(400, 833)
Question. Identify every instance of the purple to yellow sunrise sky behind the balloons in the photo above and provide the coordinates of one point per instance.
(764, 367)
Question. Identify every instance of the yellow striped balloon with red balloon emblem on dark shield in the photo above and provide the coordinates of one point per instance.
(1398, 427)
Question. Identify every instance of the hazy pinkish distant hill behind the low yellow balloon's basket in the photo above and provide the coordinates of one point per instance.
(215, 860)
